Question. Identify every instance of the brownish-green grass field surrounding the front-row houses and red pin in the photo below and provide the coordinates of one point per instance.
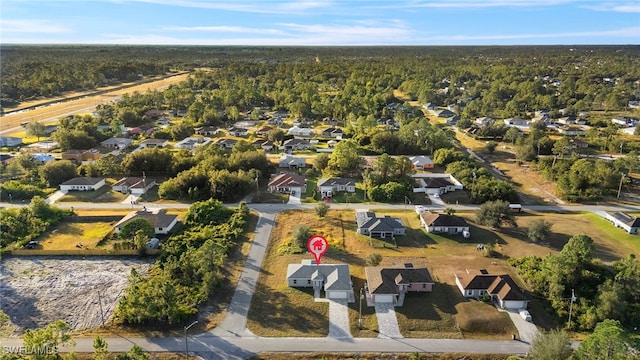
(442, 313)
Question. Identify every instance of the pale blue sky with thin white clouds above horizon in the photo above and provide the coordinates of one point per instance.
(320, 22)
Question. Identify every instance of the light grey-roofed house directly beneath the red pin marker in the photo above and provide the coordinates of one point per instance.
(334, 279)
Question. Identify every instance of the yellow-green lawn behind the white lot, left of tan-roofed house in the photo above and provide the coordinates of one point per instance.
(67, 235)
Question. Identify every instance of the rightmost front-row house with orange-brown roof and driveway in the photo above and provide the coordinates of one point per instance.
(503, 290)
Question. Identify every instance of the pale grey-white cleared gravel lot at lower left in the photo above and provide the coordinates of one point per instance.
(35, 291)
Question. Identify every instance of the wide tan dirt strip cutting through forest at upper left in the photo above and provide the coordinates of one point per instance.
(87, 103)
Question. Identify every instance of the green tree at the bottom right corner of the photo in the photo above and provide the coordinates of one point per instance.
(609, 340)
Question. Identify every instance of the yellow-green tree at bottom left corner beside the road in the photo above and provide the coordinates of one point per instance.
(42, 342)
